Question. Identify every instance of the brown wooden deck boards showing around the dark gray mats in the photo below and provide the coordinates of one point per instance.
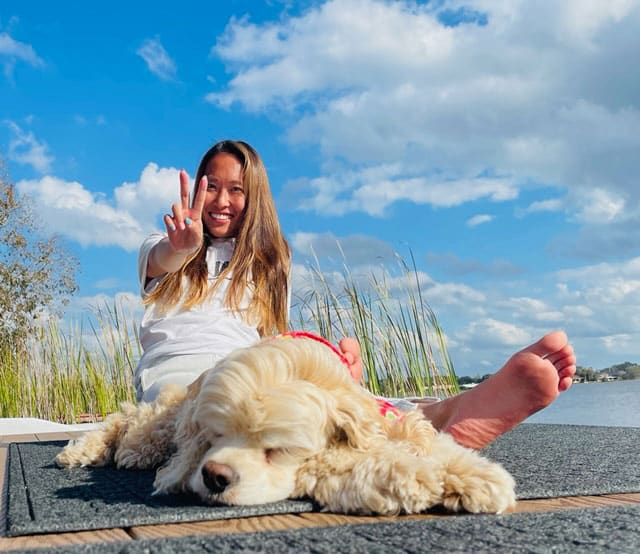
(251, 524)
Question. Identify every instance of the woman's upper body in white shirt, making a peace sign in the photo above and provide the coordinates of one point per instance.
(218, 279)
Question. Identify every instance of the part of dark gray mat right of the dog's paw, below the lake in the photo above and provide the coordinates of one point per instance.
(569, 460)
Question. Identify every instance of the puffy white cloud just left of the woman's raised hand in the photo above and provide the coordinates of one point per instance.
(69, 209)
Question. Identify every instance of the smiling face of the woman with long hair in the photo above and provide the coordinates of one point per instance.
(224, 205)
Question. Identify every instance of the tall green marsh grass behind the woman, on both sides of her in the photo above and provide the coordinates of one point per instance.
(64, 375)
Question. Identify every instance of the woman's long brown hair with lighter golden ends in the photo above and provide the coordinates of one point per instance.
(261, 258)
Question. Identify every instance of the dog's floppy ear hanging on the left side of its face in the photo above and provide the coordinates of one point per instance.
(191, 446)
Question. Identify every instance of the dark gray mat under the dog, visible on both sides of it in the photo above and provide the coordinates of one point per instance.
(546, 460)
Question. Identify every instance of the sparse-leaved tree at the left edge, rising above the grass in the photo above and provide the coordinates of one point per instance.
(37, 275)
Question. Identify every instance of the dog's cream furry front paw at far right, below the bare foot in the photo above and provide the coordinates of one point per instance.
(485, 488)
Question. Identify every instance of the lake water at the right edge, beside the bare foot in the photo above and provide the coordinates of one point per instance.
(612, 404)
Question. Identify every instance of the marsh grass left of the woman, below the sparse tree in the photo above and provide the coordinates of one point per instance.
(60, 377)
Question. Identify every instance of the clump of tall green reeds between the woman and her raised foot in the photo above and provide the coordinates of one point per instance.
(403, 346)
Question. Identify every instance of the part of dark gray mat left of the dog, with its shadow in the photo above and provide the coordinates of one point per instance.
(43, 498)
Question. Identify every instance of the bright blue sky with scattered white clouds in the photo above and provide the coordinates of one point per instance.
(497, 142)
